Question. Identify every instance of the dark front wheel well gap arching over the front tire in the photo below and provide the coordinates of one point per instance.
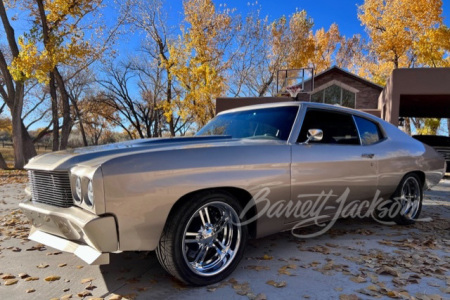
(241, 195)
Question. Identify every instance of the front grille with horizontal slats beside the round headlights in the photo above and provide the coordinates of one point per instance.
(52, 188)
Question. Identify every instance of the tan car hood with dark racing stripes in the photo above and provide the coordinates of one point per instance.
(96, 155)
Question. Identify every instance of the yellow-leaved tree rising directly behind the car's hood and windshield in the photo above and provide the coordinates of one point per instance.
(197, 58)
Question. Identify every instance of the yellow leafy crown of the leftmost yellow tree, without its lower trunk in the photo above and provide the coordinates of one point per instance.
(64, 42)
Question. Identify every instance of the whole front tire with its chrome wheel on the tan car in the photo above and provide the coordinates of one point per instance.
(203, 241)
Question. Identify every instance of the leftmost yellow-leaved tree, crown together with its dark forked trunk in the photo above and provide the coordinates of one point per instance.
(55, 39)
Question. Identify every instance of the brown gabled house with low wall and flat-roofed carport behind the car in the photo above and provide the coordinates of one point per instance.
(420, 92)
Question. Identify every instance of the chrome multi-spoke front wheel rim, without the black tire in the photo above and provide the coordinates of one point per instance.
(211, 238)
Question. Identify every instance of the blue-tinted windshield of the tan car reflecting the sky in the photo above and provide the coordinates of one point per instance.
(262, 123)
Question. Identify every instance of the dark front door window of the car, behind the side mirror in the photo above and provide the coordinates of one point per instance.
(338, 128)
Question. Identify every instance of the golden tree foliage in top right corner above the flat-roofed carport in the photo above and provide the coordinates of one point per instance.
(403, 34)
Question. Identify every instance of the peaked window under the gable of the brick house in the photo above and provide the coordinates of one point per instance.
(334, 94)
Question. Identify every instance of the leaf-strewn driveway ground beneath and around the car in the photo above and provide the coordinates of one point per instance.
(356, 259)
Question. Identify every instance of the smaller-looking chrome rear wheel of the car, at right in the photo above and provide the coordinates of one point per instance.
(410, 198)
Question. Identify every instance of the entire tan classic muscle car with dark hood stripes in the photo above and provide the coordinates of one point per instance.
(196, 200)
